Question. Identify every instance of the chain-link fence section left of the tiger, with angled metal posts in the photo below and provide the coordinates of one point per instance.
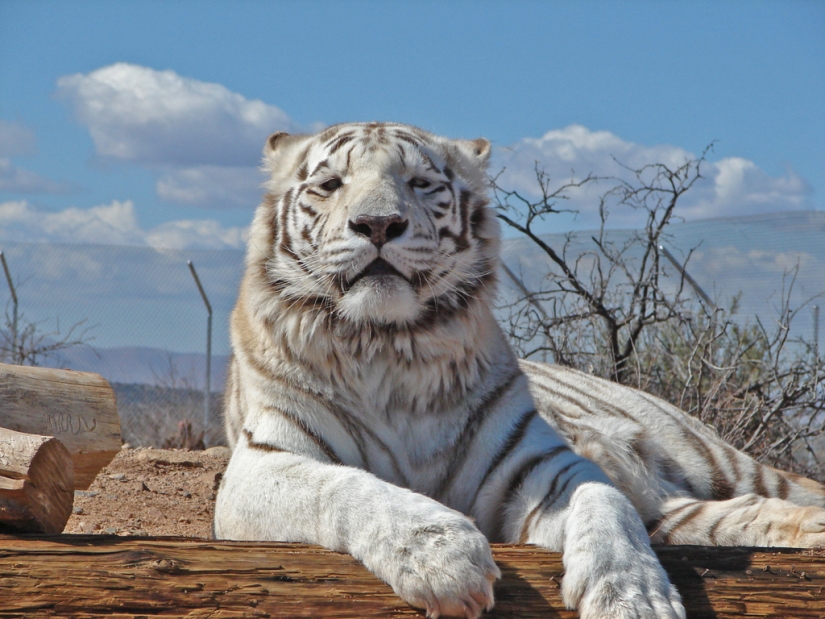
(135, 316)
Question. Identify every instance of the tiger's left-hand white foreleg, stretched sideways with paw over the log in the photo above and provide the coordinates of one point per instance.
(433, 557)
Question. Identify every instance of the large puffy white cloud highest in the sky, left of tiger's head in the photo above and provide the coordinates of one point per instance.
(204, 140)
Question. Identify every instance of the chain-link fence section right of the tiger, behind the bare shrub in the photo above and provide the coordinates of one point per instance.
(755, 263)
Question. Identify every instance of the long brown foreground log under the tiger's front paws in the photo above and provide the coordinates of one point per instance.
(85, 576)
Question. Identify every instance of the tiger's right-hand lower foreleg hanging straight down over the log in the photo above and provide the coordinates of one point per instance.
(610, 568)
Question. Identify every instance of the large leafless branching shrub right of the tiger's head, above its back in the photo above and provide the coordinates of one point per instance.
(616, 309)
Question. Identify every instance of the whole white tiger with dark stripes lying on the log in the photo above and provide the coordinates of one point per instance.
(374, 406)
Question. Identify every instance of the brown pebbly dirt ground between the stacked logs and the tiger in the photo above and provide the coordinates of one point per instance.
(148, 491)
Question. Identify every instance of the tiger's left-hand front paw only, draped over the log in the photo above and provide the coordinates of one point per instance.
(446, 568)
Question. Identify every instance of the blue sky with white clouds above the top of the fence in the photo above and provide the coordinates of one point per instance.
(141, 122)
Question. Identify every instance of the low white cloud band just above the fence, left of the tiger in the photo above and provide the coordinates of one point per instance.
(111, 224)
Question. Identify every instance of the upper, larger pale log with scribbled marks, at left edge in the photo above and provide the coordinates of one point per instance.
(76, 407)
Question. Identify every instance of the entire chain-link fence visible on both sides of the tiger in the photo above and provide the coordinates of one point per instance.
(136, 316)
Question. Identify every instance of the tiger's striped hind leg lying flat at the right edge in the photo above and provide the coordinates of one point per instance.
(748, 520)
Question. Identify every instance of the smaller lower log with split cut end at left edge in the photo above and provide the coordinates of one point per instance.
(36, 483)
